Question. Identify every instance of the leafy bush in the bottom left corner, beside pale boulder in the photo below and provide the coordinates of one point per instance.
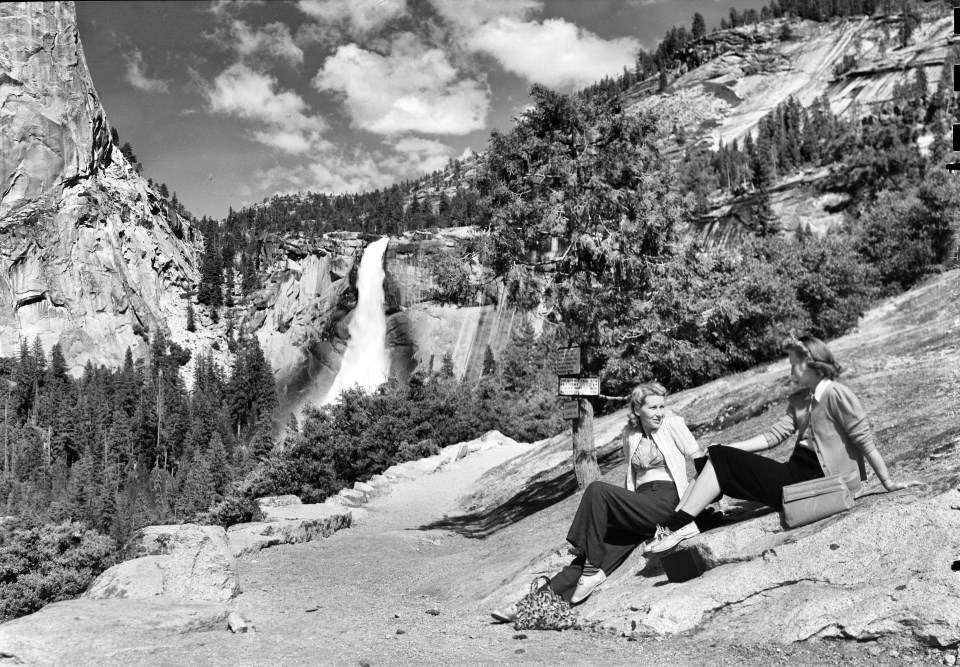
(43, 563)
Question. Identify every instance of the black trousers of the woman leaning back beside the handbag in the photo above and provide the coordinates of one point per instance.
(750, 476)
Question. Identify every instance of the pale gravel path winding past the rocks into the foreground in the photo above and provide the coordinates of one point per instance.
(366, 596)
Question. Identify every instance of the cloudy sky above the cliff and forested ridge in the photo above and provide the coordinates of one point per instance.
(229, 103)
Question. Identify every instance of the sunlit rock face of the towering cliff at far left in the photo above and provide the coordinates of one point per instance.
(90, 256)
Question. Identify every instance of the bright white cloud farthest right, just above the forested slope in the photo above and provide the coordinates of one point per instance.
(555, 52)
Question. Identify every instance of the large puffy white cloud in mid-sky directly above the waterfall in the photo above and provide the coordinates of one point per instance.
(414, 88)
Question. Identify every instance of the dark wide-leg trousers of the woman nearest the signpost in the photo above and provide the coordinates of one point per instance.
(609, 524)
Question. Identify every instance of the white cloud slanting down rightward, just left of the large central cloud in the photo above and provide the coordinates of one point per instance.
(283, 117)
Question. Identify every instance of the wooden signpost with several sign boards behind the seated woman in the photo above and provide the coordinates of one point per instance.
(570, 382)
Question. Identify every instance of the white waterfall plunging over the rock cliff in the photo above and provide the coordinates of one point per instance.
(365, 361)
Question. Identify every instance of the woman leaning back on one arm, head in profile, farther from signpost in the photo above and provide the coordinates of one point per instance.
(834, 440)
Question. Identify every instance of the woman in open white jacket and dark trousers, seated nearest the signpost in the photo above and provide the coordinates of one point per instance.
(612, 520)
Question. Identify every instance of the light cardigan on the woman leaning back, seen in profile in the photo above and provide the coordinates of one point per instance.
(837, 431)
